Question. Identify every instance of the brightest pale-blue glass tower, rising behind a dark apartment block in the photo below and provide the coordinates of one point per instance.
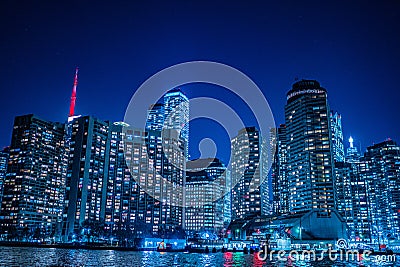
(176, 114)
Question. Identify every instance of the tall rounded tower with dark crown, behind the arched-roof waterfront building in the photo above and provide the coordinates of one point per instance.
(309, 149)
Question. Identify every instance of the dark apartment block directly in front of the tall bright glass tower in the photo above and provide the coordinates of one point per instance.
(165, 184)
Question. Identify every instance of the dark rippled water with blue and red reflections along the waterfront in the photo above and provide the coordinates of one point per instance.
(12, 256)
